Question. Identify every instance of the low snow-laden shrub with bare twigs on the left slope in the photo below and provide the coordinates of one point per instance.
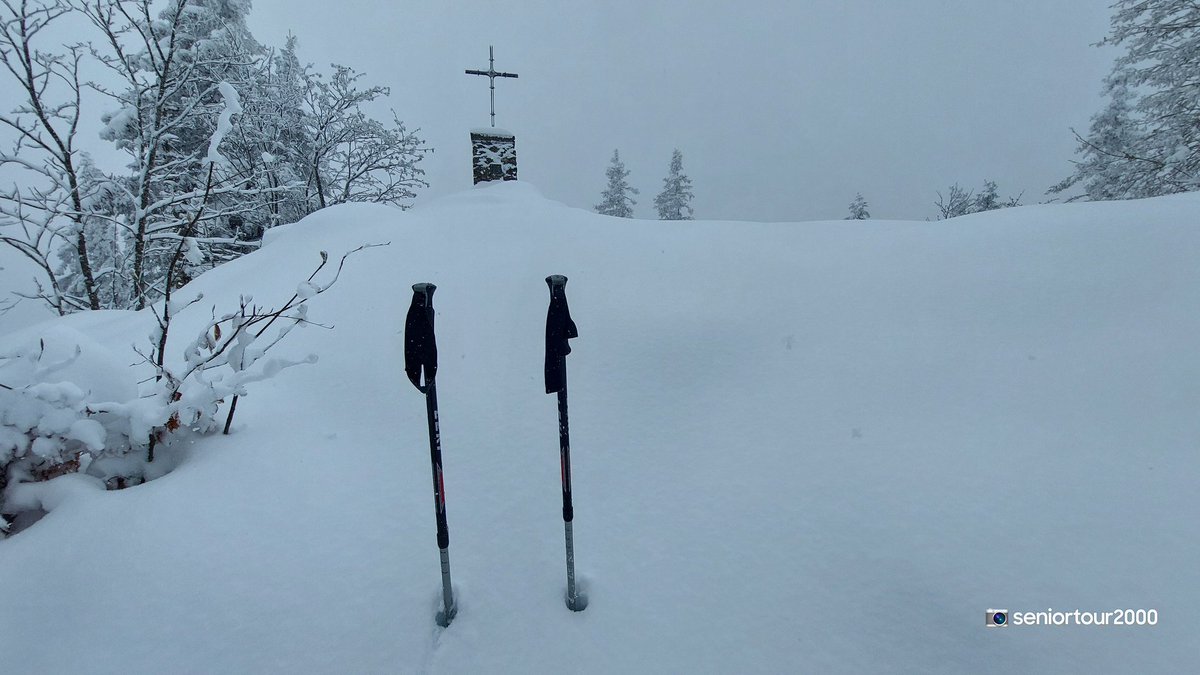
(67, 404)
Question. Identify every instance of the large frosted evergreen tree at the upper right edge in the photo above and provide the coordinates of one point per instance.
(1147, 141)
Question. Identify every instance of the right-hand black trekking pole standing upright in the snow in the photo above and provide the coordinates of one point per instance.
(560, 328)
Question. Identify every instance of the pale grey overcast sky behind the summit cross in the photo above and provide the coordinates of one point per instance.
(783, 111)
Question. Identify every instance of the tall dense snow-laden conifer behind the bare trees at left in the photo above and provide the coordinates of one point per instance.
(167, 112)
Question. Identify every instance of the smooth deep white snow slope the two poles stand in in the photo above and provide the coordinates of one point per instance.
(808, 447)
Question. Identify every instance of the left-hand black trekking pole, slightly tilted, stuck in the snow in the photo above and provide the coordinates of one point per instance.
(422, 354)
